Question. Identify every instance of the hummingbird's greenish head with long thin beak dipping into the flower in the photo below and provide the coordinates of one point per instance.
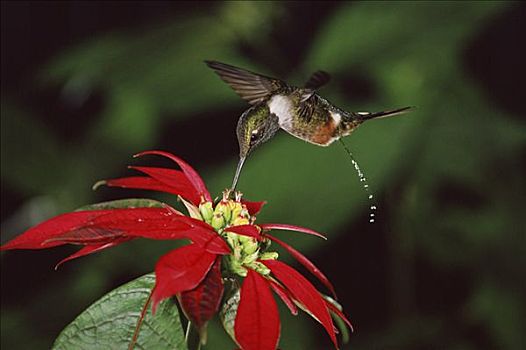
(255, 126)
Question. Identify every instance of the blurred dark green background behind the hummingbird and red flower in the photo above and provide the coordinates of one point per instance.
(84, 85)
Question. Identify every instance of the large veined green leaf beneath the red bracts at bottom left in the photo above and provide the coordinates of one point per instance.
(110, 322)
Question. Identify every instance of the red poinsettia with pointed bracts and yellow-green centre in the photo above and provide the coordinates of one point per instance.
(225, 245)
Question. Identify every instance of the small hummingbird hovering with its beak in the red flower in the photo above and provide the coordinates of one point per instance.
(300, 111)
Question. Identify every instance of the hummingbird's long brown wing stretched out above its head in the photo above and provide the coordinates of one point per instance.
(253, 87)
